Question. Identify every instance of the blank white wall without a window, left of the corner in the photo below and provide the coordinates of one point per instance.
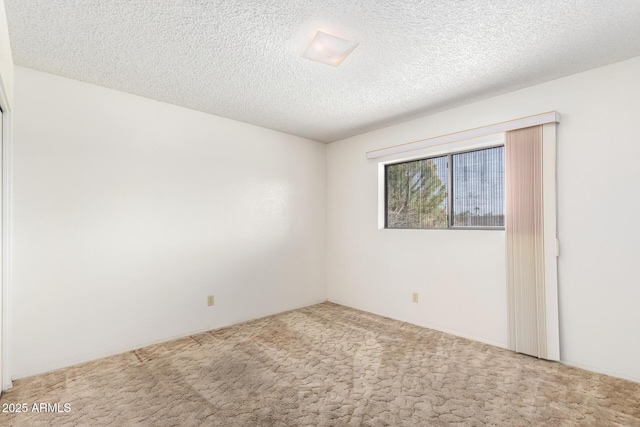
(129, 212)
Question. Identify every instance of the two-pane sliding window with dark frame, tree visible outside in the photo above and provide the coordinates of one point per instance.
(422, 193)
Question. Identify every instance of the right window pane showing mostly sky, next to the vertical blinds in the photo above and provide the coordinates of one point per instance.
(478, 188)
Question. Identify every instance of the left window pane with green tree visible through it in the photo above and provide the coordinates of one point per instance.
(417, 194)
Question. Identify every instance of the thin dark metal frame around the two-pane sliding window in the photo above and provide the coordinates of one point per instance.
(450, 189)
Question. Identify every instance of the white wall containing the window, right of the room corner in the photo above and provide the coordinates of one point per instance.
(460, 274)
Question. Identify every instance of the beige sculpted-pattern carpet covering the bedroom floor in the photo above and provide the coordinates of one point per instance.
(325, 365)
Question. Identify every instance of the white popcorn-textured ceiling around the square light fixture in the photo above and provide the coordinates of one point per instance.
(241, 59)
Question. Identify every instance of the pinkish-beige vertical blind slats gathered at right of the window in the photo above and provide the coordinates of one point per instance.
(524, 228)
